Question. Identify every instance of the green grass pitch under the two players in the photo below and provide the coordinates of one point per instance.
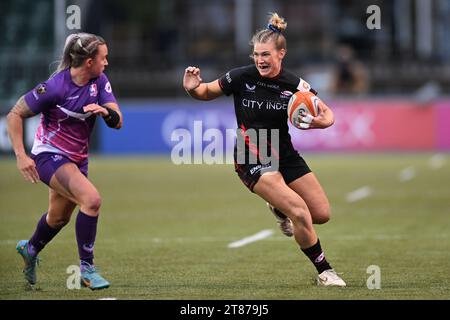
(164, 230)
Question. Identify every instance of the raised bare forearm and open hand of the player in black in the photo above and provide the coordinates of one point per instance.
(192, 83)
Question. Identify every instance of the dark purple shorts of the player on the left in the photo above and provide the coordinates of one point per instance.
(48, 162)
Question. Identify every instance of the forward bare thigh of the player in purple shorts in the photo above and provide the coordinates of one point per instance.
(69, 182)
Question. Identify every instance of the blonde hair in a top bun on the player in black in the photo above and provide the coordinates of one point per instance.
(273, 32)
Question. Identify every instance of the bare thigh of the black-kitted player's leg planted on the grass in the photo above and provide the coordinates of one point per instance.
(272, 188)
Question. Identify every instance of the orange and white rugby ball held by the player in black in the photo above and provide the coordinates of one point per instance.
(300, 104)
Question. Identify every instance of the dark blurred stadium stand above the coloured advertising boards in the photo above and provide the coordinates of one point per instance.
(151, 42)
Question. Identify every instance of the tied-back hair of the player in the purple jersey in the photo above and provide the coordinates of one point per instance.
(78, 48)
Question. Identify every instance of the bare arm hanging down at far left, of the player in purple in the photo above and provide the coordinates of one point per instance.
(15, 119)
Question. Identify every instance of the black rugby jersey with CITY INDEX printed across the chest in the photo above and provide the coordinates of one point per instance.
(261, 103)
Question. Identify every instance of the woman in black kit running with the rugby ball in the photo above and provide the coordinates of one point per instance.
(261, 93)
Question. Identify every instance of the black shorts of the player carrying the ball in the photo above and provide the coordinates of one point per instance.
(290, 168)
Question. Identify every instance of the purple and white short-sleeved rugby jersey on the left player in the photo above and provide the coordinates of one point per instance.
(65, 128)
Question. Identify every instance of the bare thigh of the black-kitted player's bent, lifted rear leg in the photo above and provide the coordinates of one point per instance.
(309, 188)
